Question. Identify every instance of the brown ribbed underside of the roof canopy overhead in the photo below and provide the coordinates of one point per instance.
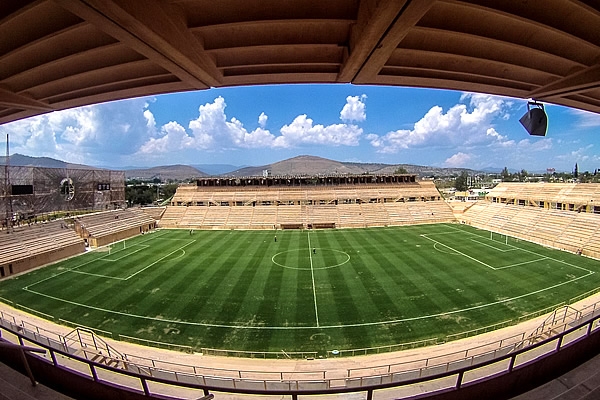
(57, 54)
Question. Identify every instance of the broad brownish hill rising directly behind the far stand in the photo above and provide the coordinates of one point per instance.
(312, 165)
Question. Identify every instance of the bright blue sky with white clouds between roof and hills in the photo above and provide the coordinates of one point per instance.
(263, 124)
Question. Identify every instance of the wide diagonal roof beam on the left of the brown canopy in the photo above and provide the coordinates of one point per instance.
(156, 31)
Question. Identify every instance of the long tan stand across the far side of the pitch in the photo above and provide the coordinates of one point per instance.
(309, 206)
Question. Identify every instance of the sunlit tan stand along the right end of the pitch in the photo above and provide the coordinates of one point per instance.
(560, 215)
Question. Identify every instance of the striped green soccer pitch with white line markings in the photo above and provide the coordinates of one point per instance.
(304, 290)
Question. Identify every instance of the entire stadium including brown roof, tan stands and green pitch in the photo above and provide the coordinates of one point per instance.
(332, 286)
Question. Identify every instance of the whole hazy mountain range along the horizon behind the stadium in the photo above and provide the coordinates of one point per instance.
(300, 165)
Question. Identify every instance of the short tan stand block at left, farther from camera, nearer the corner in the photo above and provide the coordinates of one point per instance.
(107, 227)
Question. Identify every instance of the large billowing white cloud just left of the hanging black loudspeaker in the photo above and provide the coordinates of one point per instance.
(462, 124)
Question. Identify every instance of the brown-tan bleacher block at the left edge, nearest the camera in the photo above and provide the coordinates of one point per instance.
(28, 247)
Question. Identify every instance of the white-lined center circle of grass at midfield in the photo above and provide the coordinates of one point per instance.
(307, 259)
